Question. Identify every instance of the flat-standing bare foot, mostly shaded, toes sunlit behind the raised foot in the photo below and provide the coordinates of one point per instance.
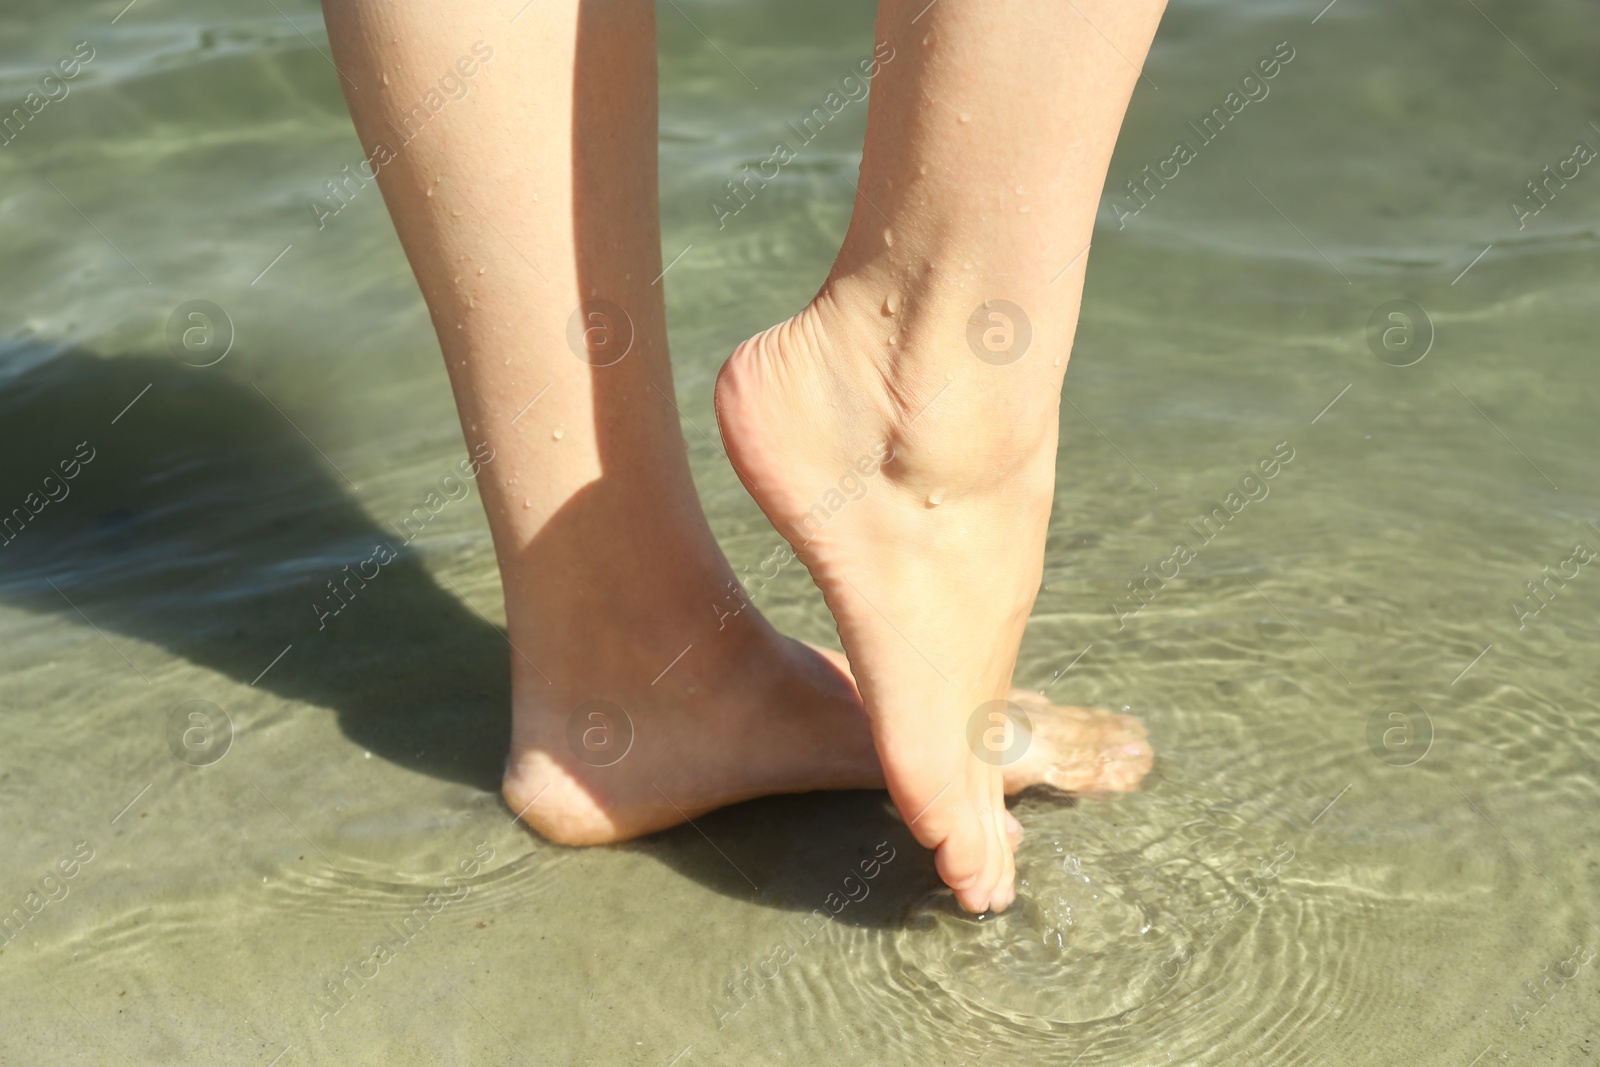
(751, 716)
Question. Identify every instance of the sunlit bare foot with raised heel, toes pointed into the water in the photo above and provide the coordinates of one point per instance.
(916, 482)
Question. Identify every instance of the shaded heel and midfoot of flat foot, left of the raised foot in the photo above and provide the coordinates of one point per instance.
(606, 754)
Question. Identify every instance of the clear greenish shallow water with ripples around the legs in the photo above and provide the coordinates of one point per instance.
(1370, 833)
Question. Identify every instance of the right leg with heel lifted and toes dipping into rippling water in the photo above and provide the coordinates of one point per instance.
(990, 134)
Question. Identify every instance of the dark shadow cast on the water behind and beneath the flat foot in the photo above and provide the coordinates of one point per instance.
(207, 526)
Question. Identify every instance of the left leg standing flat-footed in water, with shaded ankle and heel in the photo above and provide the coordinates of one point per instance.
(607, 564)
